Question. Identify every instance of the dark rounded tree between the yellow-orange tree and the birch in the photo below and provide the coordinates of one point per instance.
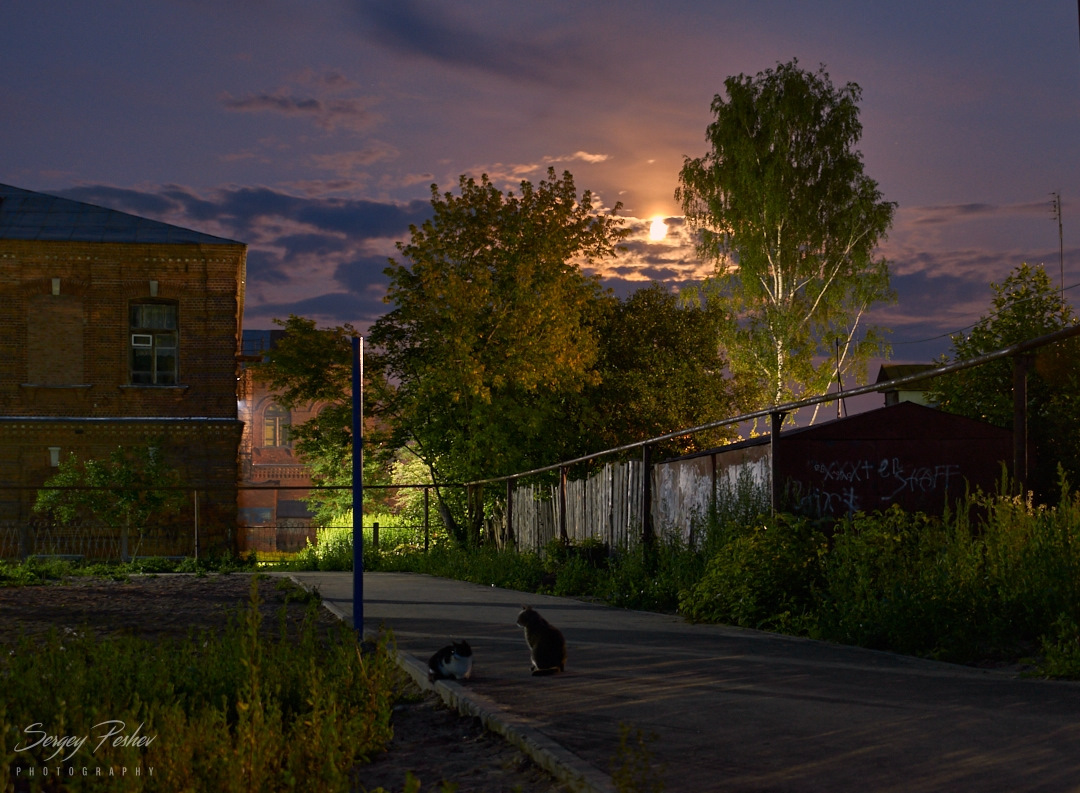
(663, 370)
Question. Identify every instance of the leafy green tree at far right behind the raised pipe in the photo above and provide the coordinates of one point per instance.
(1027, 305)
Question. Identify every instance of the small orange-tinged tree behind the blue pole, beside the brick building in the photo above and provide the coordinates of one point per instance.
(315, 365)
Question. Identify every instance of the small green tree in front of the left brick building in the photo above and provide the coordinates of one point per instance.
(125, 491)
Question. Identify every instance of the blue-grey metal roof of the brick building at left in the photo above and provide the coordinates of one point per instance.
(29, 216)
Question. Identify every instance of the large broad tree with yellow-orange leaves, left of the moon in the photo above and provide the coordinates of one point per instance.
(492, 338)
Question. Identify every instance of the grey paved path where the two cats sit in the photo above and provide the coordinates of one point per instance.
(728, 709)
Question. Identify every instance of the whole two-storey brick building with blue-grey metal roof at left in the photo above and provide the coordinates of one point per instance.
(117, 331)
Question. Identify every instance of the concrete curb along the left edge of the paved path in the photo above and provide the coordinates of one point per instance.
(565, 767)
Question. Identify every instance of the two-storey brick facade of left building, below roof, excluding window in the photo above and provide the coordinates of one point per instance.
(65, 366)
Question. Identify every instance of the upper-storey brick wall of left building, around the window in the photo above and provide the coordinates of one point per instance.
(93, 285)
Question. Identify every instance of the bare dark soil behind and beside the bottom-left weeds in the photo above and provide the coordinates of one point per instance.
(436, 745)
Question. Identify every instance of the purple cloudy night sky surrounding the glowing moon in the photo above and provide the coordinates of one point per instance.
(313, 132)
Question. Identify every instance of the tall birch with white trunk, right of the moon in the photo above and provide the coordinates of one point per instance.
(791, 222)
